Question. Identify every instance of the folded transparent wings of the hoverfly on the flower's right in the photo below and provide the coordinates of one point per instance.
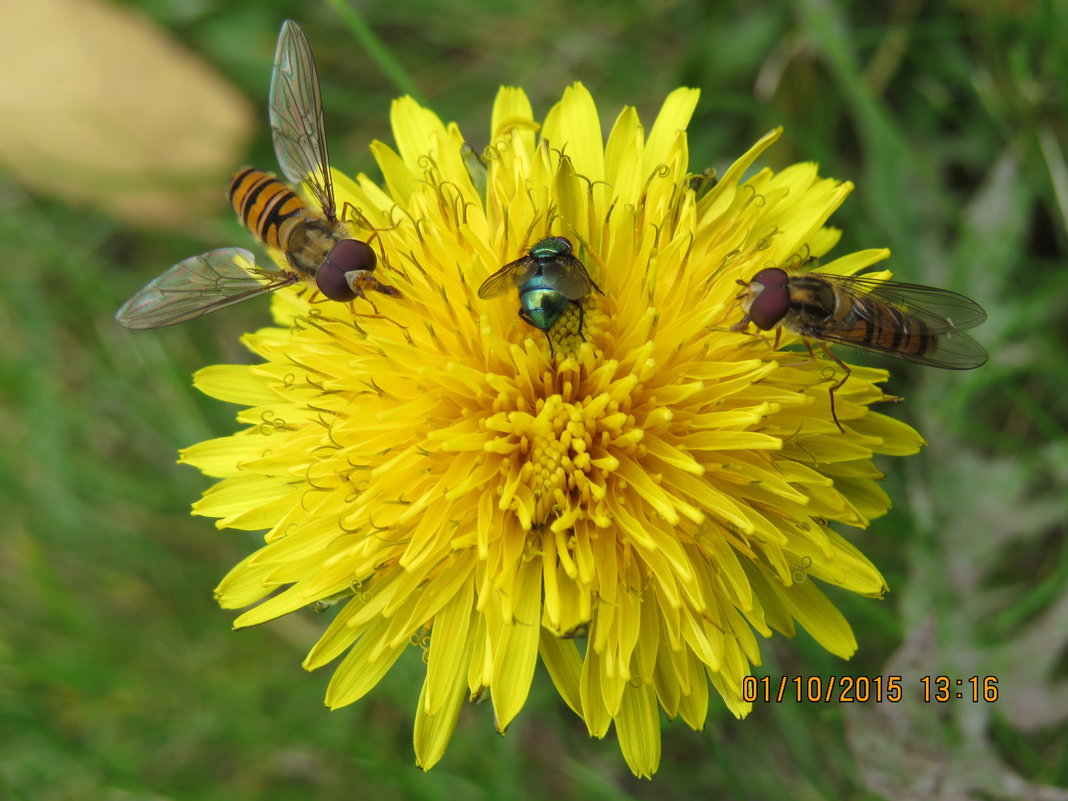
(916, 311)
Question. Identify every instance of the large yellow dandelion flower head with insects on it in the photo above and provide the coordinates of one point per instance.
(632, 496)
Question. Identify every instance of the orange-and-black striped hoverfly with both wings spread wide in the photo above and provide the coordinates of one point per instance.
(318, 246)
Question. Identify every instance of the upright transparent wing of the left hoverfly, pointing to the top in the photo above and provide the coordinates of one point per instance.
(296, 117)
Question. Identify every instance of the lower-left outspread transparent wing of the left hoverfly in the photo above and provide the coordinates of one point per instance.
(200, 286)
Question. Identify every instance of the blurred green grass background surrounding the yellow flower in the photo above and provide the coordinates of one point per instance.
(121, 680)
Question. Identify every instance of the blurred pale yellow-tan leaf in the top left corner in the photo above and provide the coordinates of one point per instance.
(99, 106)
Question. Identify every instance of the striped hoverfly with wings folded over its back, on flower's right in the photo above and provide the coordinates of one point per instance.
(921, 324)
